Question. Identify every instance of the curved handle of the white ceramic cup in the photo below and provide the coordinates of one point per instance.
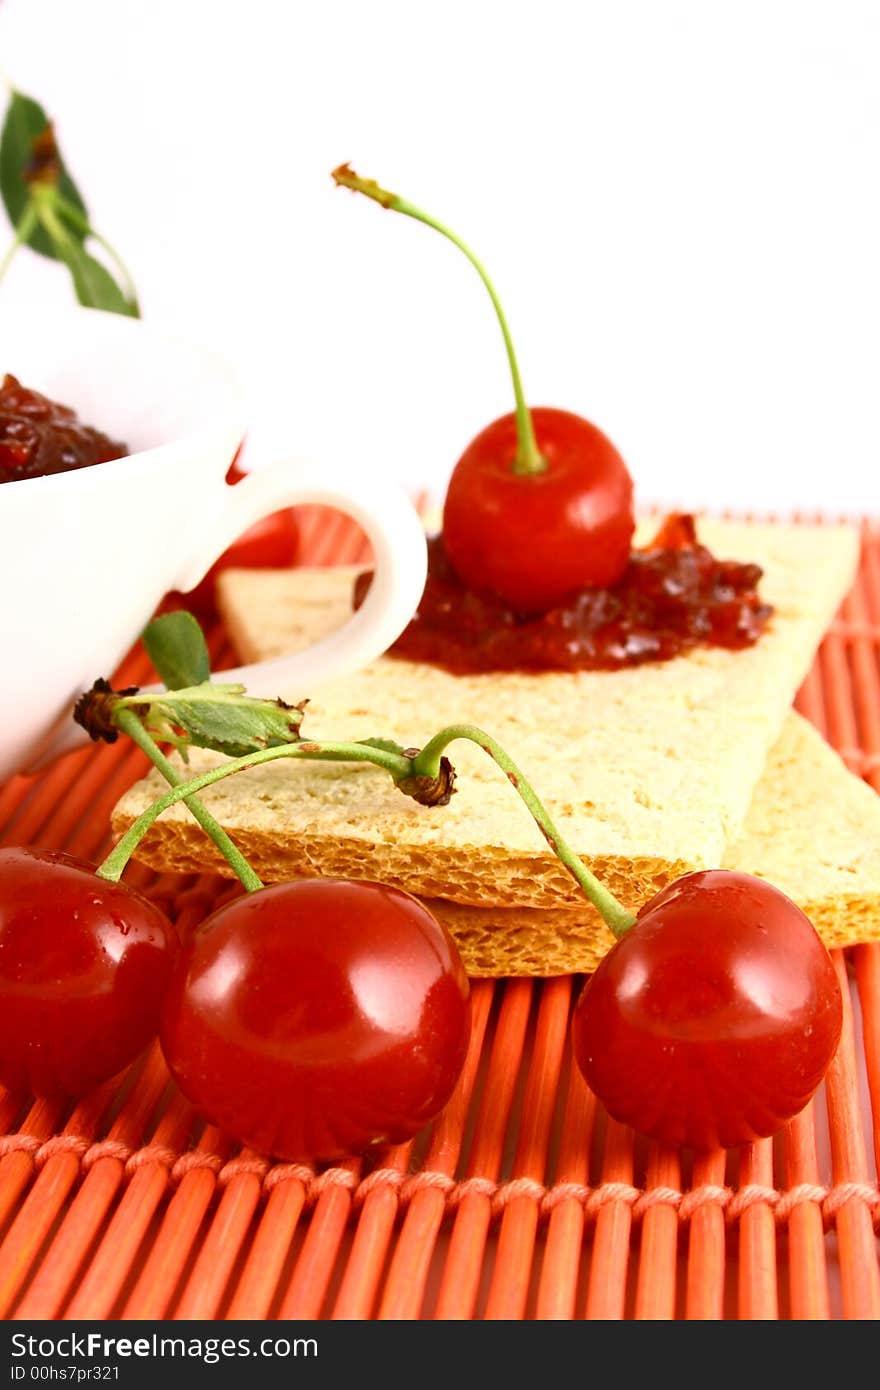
(400, 550)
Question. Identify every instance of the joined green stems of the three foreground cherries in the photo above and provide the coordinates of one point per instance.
(398, 765)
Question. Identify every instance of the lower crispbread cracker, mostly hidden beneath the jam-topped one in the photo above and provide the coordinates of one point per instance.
(813, 829)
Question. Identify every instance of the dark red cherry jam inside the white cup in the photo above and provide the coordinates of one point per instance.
(40, 437)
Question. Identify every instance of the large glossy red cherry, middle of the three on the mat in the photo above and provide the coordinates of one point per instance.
(318, 1018)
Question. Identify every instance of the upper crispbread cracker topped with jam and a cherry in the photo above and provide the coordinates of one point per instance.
(647, 772)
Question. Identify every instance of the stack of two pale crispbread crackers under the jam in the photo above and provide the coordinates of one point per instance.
(649, 774)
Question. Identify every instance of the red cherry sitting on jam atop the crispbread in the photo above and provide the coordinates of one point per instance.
(535, 539)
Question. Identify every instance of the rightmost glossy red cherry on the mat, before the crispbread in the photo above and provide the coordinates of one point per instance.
(714, 1018)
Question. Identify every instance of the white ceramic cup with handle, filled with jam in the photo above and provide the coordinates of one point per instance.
(85, 557)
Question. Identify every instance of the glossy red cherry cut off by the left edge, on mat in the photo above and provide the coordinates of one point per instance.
(84, 970)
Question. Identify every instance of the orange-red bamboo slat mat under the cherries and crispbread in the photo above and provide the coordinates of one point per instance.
(523, 1202)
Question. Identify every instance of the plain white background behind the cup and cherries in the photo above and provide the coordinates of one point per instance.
(678, 201)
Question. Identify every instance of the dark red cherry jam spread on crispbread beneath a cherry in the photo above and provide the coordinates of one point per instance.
(674, 596)
